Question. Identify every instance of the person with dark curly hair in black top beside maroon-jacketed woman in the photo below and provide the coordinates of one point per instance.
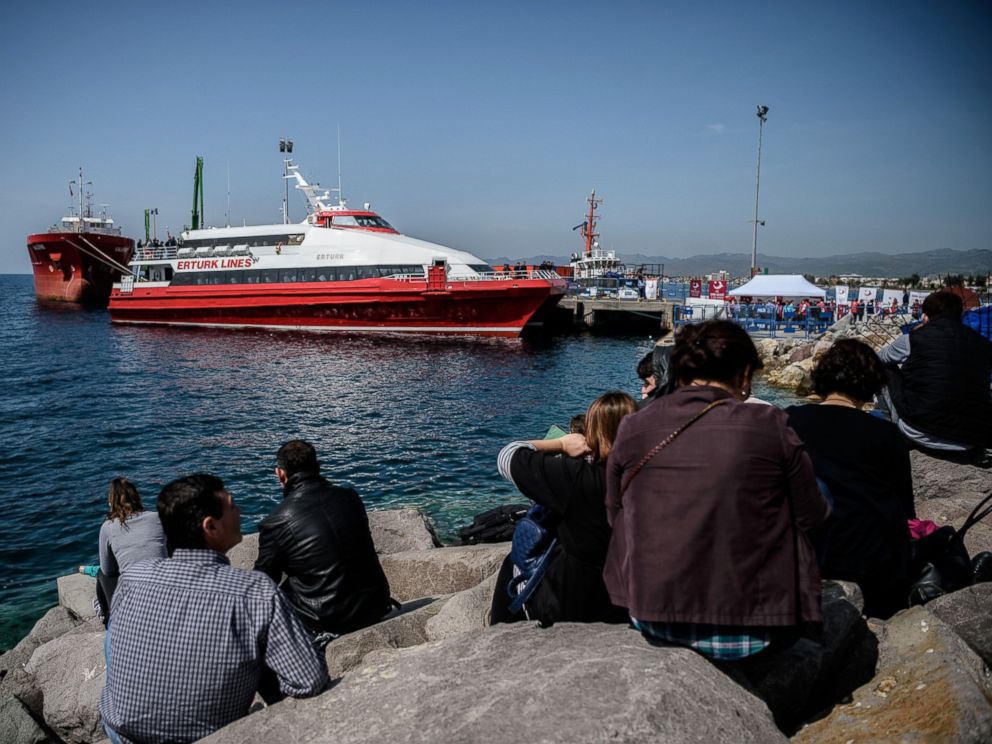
(864, 462)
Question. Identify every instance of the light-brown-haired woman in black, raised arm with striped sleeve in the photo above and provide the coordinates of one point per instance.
(568, 477)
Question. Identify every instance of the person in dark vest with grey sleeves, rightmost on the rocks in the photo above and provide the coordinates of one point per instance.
(938, 380)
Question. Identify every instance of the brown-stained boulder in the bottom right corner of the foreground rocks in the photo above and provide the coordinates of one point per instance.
(929, 686)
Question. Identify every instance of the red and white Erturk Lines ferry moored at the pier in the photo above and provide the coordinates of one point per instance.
(340, 269)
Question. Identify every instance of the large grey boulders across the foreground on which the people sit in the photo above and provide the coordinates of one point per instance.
(437, 671)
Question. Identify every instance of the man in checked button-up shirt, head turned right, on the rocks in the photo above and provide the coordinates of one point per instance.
(193, 639)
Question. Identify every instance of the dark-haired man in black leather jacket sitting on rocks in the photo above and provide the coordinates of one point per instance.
(319, 538)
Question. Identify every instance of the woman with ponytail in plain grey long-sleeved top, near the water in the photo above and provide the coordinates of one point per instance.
(130, 534)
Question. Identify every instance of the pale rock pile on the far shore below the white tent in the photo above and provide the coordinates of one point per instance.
(789, 361)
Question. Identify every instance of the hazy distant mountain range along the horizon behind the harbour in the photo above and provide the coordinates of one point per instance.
(926, 263)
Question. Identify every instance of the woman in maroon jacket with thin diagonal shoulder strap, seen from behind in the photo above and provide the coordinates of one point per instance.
(709, 547)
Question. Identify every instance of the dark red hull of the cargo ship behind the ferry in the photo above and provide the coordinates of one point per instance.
(68, 268)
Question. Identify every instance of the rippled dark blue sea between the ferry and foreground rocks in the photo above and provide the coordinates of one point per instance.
(406, 421)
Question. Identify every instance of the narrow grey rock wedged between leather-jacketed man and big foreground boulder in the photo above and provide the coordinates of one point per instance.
(402, 631)
